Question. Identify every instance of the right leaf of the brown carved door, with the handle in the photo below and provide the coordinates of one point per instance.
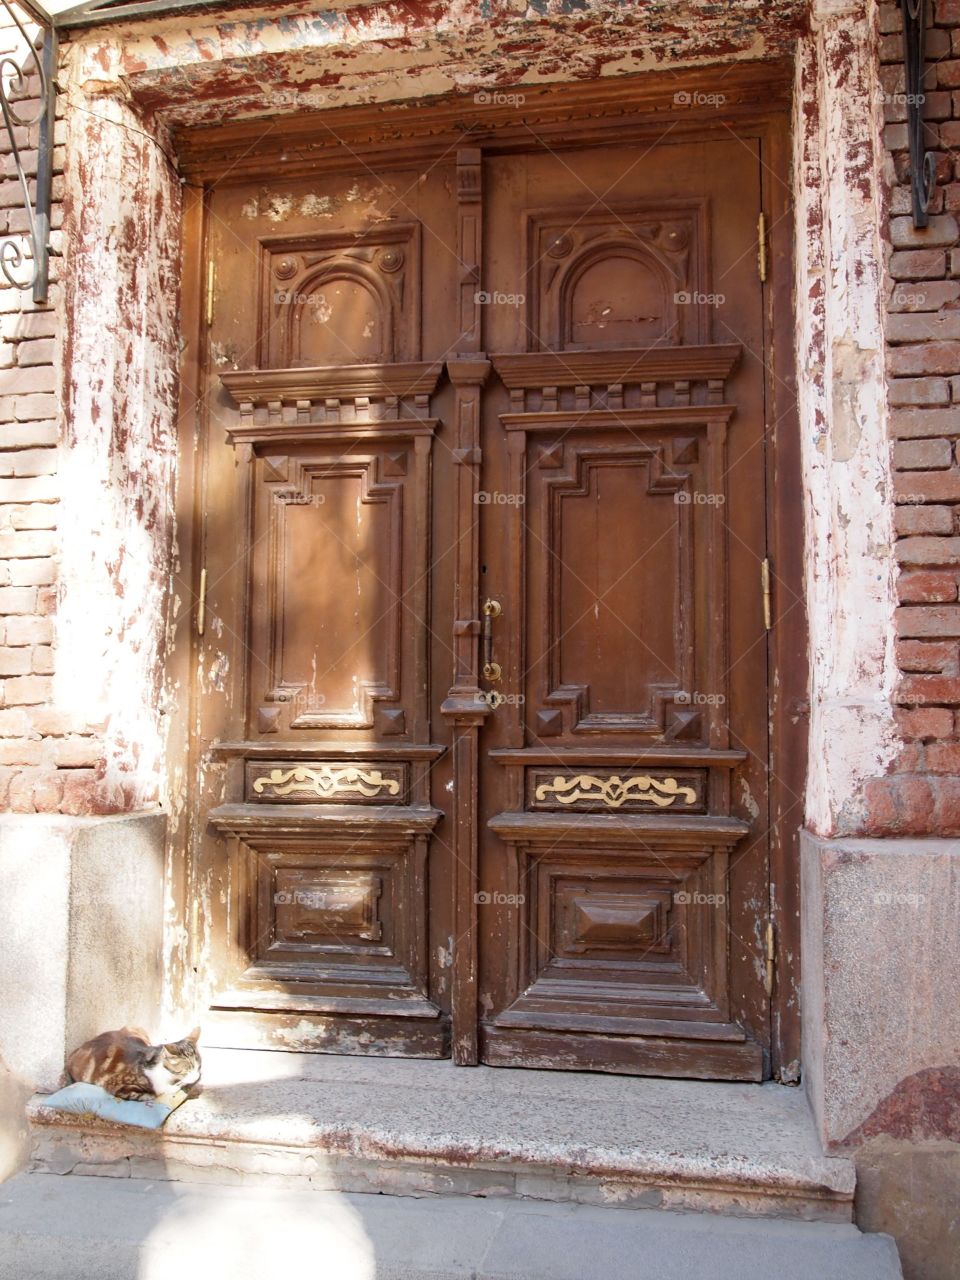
(623, 874)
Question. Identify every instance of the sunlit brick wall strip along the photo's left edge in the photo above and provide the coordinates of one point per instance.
(47, 758)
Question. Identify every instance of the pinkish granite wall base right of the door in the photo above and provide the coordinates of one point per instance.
(881, 1052)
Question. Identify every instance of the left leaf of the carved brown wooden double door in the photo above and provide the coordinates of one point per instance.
(324, 895)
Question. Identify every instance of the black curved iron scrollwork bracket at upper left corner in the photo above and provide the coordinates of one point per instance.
(29, 267)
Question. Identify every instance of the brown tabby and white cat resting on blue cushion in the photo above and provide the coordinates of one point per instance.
(126, 1064)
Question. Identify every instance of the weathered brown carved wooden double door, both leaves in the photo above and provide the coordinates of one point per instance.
(481, 716)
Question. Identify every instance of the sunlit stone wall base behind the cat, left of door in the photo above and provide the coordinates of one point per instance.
(81, 948)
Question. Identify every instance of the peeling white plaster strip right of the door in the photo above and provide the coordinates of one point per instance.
(851, 589)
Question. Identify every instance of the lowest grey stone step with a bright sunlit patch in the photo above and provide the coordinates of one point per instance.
(134, 1229)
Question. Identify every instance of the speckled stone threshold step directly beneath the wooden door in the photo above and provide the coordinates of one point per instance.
(424, 1128)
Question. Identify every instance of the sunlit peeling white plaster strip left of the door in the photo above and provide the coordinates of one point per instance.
(122, 208)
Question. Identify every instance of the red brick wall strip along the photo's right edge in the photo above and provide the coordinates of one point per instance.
(924, 351)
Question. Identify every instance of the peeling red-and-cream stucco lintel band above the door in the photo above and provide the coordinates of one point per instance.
(281, 60)
